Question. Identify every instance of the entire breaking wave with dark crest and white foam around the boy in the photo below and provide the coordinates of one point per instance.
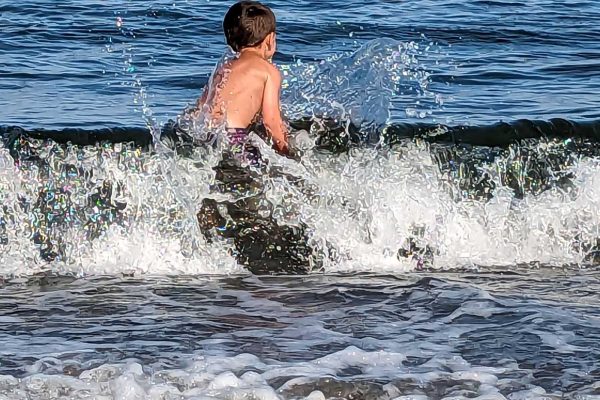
(88, 200)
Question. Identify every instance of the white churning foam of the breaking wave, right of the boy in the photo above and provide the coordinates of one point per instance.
(371, 202)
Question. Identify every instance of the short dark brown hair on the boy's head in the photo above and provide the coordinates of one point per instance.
(247, 24)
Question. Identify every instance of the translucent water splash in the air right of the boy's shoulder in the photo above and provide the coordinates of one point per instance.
(359, 87)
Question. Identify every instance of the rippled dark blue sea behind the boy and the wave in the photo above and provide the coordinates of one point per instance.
(65, 64)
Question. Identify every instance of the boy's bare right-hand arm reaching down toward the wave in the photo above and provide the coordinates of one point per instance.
(271, 111)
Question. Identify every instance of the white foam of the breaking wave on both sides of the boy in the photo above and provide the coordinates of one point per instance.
(366, 205)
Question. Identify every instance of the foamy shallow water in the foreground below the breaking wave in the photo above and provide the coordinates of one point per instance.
(501, 334)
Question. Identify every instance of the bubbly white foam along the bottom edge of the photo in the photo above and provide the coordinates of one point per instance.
(244, 376)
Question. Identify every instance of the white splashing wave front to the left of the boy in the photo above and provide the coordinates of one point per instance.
(100, 209)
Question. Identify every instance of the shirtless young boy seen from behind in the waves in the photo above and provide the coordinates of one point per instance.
(248, 87)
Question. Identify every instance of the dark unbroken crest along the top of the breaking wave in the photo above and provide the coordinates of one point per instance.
(335, 134)
